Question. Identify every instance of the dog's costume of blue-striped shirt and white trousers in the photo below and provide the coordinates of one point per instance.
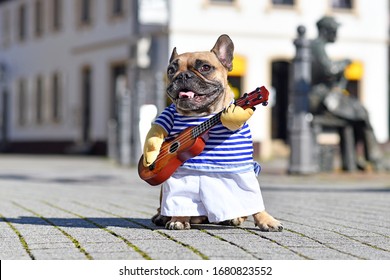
(219, 183)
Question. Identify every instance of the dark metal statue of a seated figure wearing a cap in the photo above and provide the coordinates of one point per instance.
(329, 96)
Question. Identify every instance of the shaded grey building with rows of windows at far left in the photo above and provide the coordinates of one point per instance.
(61, 59)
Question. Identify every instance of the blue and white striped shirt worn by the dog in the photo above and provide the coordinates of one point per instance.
(225, 150)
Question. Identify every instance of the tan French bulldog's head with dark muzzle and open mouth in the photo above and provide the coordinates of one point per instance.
(198, 80)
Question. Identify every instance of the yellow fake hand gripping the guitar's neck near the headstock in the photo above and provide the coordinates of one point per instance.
(234, 117)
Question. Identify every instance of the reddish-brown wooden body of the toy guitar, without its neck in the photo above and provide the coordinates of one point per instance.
(173, 153)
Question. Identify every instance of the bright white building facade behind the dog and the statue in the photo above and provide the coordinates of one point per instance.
(263, 33)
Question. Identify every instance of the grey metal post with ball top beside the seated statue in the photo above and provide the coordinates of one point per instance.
(300, 132)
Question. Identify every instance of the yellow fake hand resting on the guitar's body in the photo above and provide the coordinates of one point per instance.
(153, 142)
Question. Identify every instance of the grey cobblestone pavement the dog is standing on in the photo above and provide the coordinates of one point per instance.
(89, 208)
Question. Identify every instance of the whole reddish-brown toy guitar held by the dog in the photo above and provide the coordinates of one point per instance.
(191, 142)
